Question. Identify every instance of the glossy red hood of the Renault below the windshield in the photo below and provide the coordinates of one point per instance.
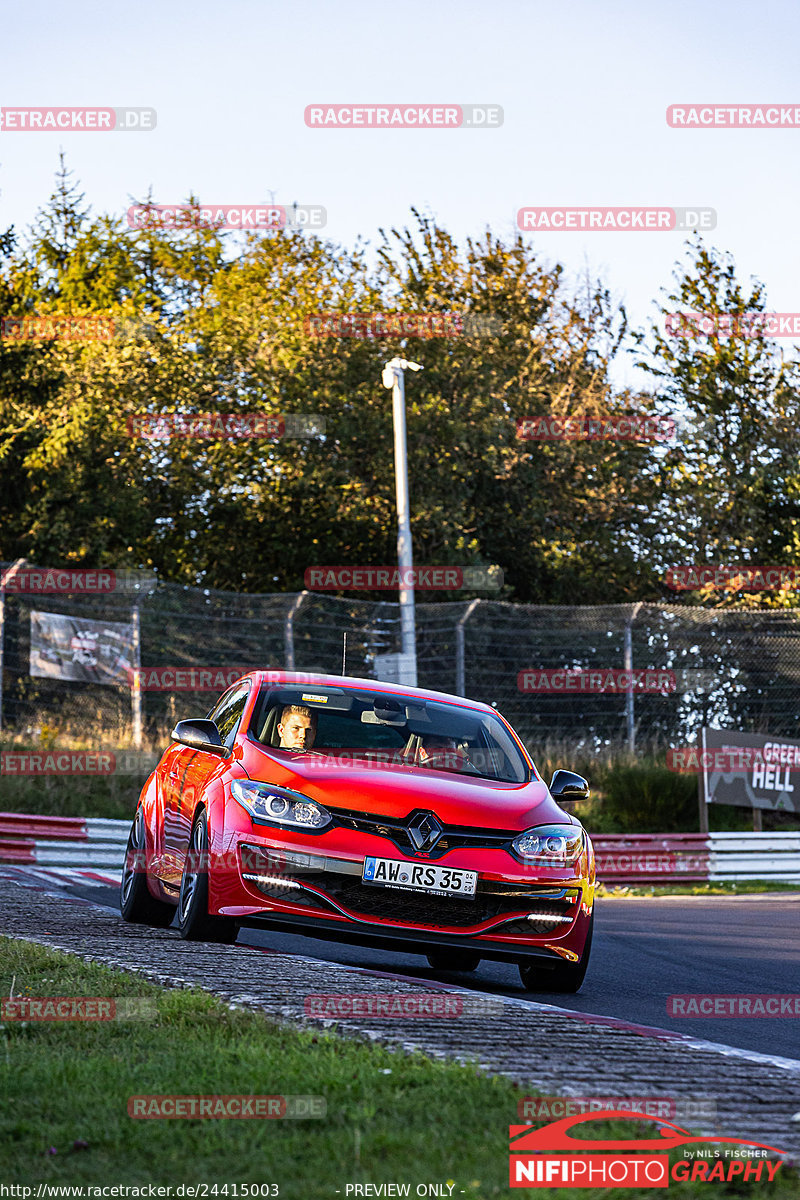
(392, 791)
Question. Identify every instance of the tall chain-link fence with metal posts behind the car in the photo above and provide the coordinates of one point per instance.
(731, 670)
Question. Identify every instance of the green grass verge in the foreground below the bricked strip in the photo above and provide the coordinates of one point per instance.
(392, 1118)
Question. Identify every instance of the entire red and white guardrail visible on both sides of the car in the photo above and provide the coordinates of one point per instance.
(622, 859)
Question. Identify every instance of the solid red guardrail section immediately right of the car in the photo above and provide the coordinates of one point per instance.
(652, 857)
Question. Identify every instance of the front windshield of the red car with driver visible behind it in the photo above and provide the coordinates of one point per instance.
(357, 727)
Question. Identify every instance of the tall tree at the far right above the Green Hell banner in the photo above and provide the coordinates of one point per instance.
(730, 489)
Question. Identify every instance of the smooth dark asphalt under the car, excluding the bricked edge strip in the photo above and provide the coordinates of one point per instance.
(645, 951)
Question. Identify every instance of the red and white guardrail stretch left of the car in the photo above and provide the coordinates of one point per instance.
(62, 842)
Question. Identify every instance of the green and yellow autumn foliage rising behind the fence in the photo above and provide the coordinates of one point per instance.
(209, 322)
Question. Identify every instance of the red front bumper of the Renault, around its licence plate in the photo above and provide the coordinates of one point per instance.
(514, 915)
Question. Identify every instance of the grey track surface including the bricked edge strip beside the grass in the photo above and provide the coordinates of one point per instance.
(556, 1046)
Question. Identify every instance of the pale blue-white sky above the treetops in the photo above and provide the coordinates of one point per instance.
(585, 91)
